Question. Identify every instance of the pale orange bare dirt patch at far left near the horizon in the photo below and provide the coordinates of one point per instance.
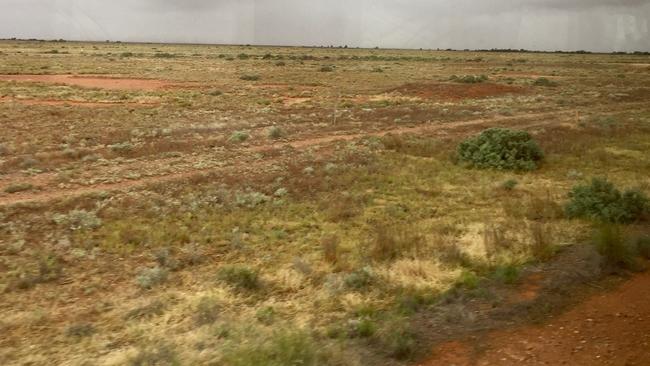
(91, 81)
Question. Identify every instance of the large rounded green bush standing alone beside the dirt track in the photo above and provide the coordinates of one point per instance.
(501, 148)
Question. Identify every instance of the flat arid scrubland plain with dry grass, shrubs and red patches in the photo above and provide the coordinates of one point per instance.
(184, 205)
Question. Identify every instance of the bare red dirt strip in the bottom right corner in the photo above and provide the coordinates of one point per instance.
(611, 328)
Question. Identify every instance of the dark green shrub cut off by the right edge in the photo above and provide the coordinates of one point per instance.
(602, 201)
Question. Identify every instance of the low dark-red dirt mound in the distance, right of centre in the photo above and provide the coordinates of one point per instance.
(449, 91)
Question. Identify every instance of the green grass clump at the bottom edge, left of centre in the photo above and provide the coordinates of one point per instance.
(285, 347)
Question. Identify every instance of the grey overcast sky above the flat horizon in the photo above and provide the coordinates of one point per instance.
(595, 25)
